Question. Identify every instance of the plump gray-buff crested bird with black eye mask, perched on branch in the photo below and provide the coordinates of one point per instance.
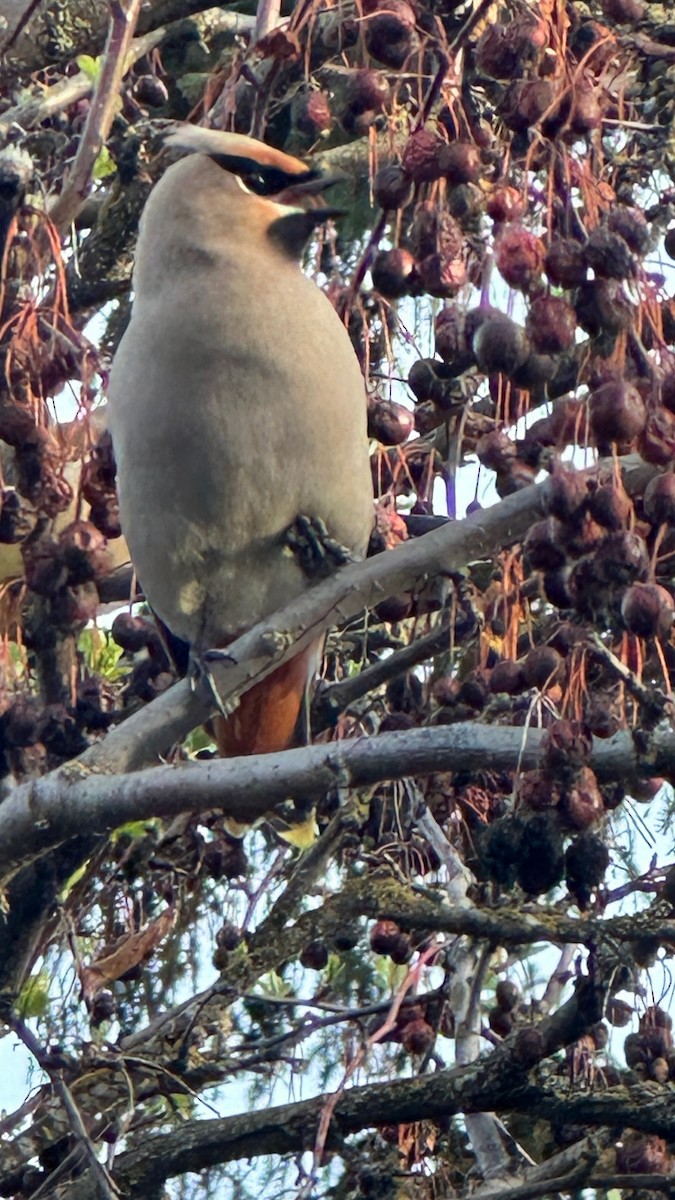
(237, 412)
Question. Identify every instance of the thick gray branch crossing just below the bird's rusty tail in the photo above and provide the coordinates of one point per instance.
(75, 802)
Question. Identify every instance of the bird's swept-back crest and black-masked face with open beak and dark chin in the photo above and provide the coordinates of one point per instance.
(288, 185)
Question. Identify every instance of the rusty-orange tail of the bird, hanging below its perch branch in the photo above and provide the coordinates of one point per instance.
(267, 715)
